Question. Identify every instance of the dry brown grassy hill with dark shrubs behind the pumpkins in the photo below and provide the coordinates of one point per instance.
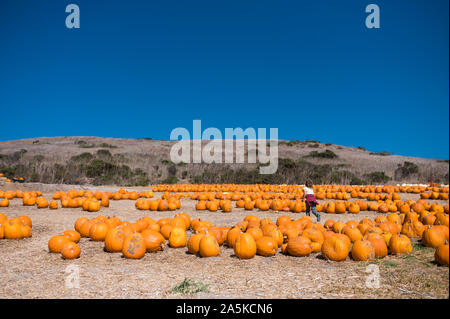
(112, 161)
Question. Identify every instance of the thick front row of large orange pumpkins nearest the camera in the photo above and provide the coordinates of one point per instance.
(364, 240)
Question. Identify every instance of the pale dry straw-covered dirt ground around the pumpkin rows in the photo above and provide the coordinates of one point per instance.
(28, 270)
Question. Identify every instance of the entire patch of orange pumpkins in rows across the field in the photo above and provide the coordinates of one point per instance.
(260, 222)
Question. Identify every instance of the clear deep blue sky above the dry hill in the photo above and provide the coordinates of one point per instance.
(310, 68)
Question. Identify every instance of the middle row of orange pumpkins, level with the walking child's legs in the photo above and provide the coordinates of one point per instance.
(92, 202)
